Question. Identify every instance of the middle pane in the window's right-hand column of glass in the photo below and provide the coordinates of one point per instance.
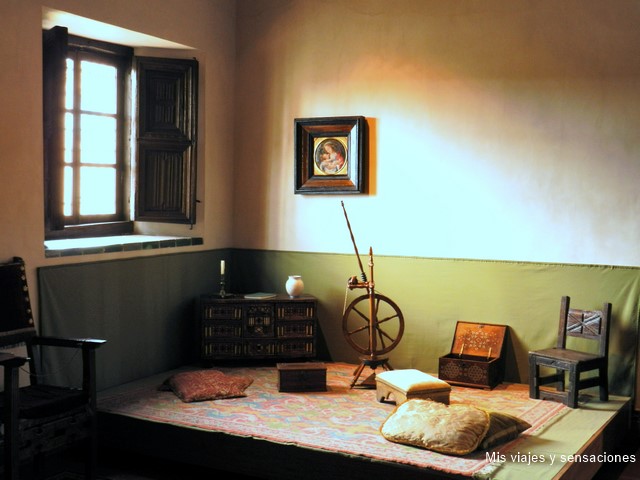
(98, 141)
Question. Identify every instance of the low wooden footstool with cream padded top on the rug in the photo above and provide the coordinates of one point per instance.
(410, 383)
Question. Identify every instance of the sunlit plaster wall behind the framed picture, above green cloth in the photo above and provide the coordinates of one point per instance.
(498, 130)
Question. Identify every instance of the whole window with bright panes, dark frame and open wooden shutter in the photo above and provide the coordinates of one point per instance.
(94, 171)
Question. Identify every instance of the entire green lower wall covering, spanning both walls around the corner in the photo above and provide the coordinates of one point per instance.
(144, 307)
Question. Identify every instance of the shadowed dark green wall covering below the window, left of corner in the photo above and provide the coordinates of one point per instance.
(143, 307)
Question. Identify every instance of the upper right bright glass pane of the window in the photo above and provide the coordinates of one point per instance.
(99, 87)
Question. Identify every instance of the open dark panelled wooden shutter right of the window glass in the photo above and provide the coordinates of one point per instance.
(166, 140)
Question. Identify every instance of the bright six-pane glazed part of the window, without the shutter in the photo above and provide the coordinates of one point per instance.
(94, 129)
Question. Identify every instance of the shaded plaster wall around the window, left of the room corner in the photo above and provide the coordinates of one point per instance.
(208, 26)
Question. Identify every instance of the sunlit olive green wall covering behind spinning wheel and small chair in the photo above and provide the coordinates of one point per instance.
(434, 294)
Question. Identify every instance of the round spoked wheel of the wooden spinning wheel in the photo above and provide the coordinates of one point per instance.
(389, 328)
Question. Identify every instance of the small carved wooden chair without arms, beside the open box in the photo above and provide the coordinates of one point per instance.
(591, 325)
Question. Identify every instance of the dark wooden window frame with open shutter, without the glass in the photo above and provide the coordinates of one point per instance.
(164, 192)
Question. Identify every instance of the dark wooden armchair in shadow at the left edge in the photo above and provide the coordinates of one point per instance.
(40, 418)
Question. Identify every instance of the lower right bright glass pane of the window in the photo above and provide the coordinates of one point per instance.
(97, 191)
